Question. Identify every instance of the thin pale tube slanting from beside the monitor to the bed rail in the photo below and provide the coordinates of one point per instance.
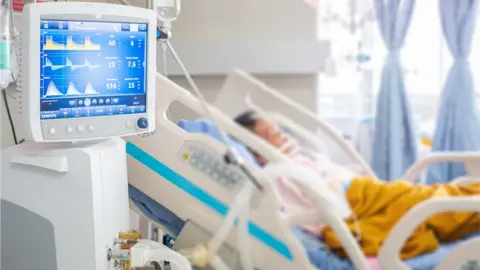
(230, 157)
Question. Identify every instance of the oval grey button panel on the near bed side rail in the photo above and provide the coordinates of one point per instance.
(212, 165)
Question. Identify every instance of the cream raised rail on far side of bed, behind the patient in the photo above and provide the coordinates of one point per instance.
(240, 87)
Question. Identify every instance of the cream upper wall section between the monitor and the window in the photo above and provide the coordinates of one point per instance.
(268, 36)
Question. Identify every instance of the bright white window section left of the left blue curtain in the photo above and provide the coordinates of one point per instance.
(347, 78)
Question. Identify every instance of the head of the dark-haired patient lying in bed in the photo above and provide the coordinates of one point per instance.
(265, 129)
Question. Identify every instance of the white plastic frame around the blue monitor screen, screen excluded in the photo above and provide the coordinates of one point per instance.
(96, 12)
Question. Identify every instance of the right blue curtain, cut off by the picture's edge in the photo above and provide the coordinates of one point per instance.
(458, 120)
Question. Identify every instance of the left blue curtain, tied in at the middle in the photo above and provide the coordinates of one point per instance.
(394, 145)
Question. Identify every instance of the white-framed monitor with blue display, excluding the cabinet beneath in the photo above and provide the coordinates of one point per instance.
(86, 74)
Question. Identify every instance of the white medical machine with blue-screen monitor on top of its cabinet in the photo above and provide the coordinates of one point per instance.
(87, 78)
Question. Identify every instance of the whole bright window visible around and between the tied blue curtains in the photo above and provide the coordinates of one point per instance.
(425, 58)
